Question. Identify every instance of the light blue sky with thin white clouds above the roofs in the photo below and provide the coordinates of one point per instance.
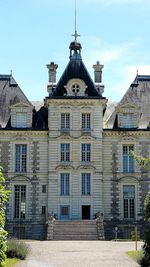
(36, 32)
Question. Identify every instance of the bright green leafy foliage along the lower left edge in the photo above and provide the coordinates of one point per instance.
(3, 233)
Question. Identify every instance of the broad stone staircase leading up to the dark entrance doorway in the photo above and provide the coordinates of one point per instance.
(75, 230)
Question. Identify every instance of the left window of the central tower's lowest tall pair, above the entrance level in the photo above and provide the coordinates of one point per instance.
(64, 184)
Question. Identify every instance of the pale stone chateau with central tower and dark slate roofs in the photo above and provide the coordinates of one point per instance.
(70, 159)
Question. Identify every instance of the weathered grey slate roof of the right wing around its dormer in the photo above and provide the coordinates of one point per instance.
(137, 95)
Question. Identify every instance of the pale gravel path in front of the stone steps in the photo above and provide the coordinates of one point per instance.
(79, 254)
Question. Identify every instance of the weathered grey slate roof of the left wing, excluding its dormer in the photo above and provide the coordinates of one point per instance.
(10, 93)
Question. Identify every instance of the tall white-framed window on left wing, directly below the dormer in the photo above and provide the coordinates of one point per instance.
(20, 158)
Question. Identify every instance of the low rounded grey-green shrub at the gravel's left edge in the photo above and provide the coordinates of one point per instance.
(17, 249)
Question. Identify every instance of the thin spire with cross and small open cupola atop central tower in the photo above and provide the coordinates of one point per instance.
(75, 46)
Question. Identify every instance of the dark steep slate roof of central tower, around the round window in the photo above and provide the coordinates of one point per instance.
(75, 70)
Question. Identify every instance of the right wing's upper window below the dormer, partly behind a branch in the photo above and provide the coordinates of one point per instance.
(128, 161)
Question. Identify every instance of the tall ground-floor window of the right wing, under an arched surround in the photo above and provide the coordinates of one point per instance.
(129, 201)
